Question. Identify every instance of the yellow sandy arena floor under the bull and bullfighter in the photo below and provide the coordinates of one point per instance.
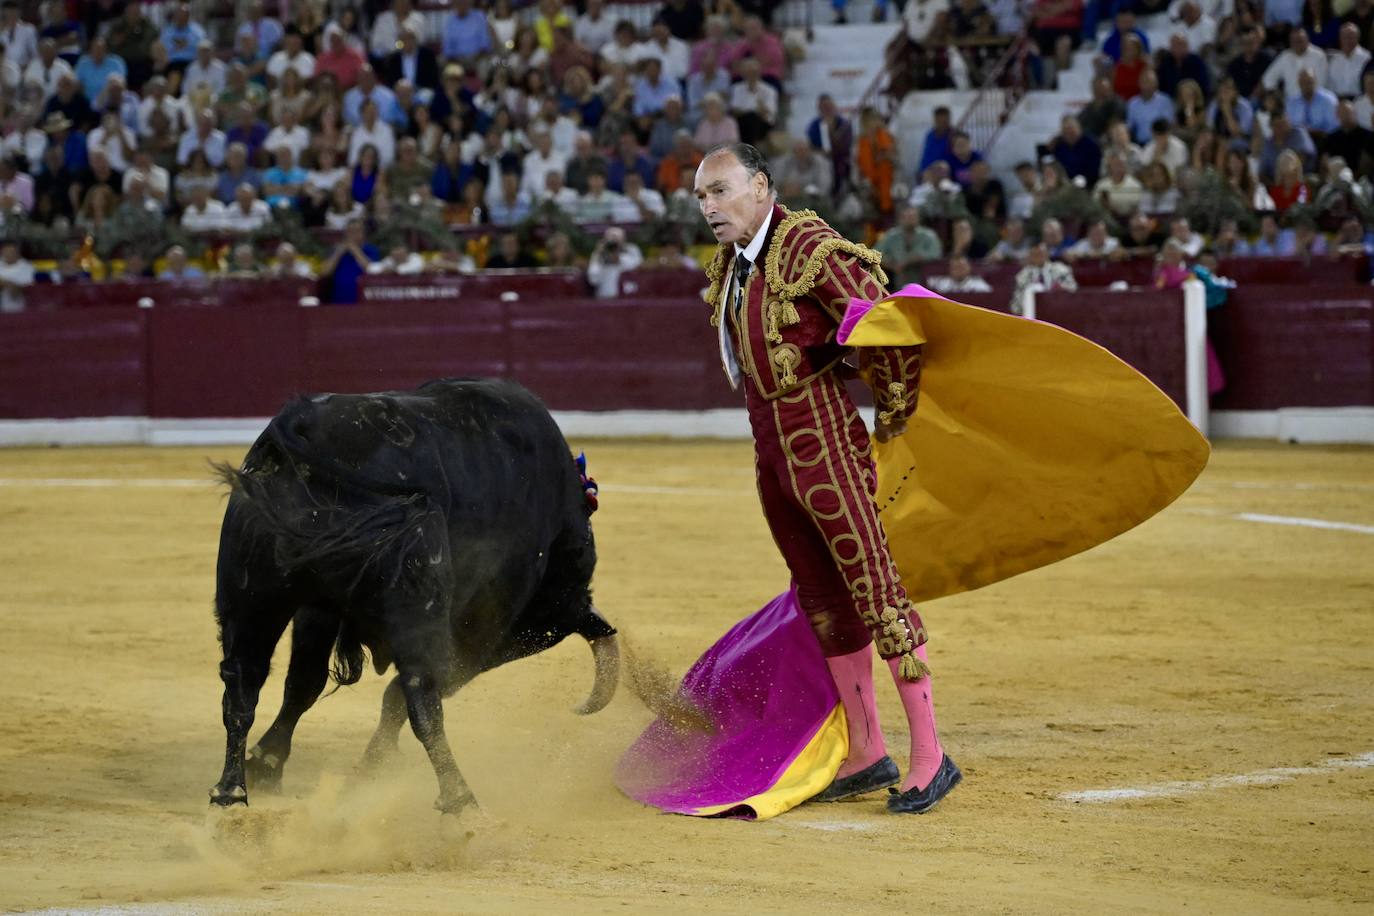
(1232, 657)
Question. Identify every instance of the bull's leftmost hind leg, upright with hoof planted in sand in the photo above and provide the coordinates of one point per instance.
(249, 639)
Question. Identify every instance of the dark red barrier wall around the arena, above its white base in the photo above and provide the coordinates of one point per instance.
(1281, 347)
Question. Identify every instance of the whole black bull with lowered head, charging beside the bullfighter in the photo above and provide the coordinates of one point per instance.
(444, 529)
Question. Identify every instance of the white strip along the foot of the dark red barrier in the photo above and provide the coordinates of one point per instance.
(1332, 425)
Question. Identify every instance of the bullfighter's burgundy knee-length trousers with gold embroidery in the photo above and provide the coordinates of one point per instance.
(817, 483)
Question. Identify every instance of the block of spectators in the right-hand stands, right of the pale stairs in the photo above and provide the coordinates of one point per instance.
(1250, 134)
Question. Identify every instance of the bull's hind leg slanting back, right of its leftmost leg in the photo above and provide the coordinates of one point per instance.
(313, 638)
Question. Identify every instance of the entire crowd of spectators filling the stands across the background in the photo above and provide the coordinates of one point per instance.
(340, 139)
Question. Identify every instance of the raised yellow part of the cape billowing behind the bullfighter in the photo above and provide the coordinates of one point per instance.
(1030, 444)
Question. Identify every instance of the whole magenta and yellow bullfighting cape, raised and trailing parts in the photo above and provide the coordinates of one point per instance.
(1030, 444)
